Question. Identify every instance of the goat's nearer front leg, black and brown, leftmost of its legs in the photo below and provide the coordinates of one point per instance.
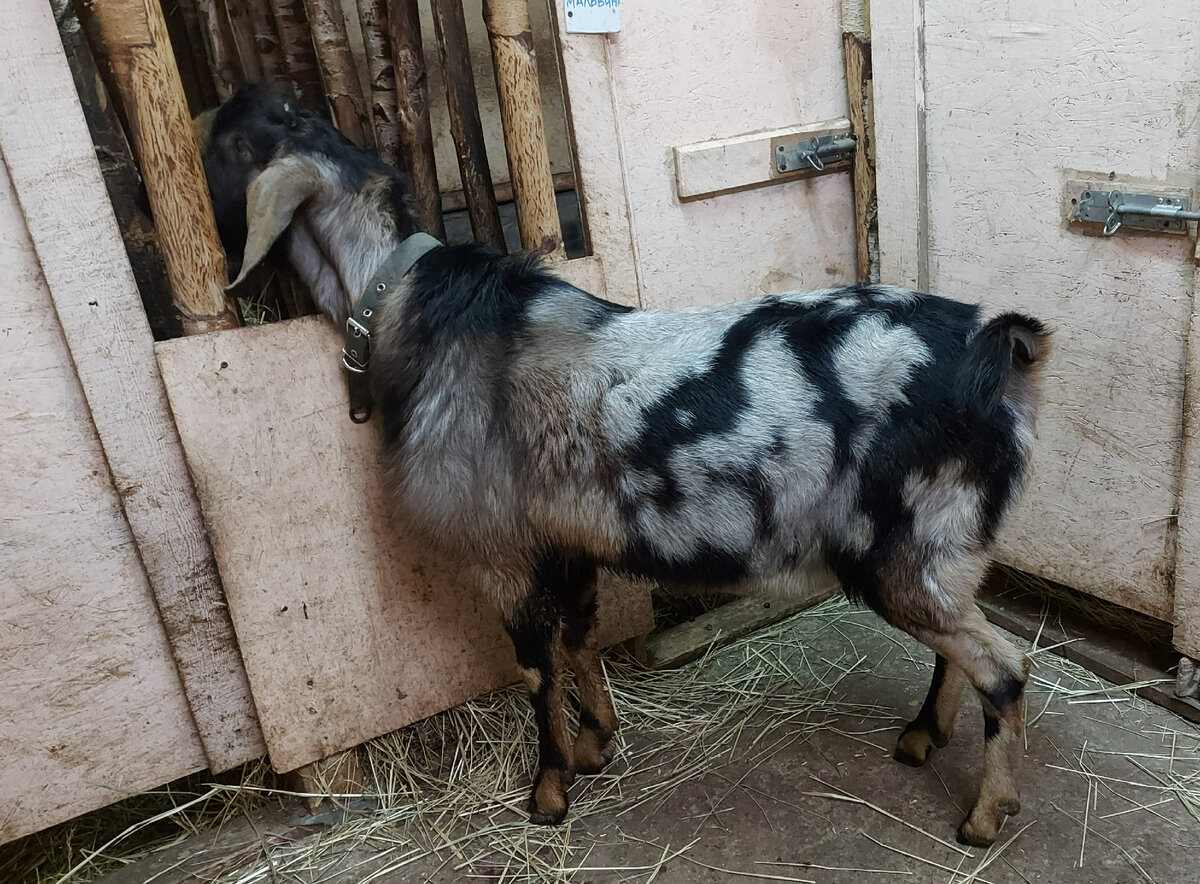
(537, 636)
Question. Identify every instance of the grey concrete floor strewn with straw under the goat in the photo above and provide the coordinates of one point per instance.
(755, 807)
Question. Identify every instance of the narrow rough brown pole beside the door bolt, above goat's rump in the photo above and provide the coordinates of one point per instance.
(857, 58)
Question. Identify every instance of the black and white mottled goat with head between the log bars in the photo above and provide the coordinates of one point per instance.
(867, 434)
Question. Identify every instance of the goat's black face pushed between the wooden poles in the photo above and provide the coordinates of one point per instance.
(238, 141)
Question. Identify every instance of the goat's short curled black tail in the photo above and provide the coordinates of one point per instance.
(1001, 360)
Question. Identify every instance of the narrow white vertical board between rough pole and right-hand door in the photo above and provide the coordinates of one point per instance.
(897, 31)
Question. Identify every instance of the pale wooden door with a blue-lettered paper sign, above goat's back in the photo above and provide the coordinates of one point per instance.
(711, 82)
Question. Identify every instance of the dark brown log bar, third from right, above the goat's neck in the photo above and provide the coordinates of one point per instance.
(413, 134)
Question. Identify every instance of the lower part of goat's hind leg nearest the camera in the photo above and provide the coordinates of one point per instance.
(999, 672)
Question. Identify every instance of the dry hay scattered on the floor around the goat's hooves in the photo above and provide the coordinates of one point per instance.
(449, 793)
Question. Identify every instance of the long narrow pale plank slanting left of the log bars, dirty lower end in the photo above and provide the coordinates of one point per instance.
(53, 167)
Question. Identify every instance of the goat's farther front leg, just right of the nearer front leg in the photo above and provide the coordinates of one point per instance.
(598, 721)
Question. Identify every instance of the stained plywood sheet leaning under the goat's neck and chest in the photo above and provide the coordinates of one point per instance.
(350, 627)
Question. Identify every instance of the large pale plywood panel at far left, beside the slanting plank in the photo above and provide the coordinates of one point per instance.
(92, 708)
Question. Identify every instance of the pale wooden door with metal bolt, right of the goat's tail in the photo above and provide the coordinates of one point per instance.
(1017, 98)
